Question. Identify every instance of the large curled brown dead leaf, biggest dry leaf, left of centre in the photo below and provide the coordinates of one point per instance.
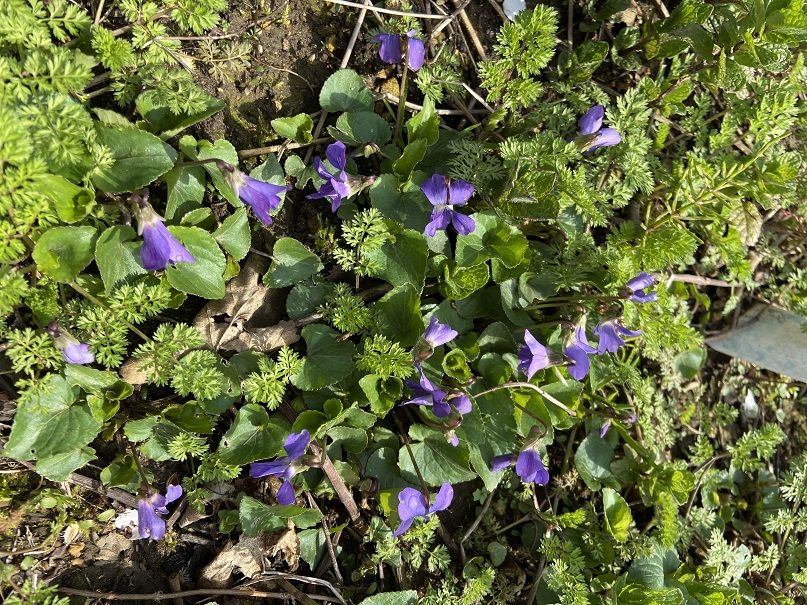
(241, 320)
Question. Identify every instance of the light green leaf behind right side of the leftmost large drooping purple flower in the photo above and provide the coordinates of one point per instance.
(205, 276)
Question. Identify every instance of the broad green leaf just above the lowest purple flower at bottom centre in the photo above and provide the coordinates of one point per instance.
(438, 461)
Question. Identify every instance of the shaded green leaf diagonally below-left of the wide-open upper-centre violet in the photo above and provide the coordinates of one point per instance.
(404, 260)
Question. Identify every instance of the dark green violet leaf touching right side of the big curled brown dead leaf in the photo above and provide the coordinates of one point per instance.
(327, 361)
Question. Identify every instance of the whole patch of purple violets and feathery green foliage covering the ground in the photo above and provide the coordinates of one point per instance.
(475, 300)
